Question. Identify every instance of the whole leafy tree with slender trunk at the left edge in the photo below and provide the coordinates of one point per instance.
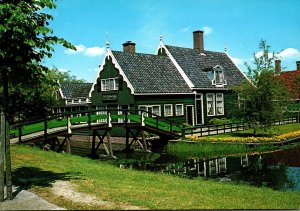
(25, 40)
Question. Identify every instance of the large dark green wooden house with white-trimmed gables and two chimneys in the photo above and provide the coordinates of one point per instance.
(183, 84)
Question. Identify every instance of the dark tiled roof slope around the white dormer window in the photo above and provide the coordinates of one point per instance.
(195, 65)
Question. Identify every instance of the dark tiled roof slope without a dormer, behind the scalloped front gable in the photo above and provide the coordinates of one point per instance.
(151, 73)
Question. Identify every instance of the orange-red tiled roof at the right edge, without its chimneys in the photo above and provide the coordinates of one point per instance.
(291, 79)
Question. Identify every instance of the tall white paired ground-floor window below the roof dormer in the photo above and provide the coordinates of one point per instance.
(215, 104)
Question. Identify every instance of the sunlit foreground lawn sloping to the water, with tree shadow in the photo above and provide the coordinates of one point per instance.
(37, 170)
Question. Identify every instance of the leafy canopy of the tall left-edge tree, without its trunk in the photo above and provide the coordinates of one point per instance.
(25, 40)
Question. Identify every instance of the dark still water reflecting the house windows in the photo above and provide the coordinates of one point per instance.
(279, 170)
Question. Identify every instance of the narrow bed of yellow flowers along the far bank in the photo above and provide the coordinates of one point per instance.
(279, 138)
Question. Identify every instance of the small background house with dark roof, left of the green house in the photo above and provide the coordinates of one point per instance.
(73, 97)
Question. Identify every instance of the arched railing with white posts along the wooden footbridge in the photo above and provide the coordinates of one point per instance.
(97, 116)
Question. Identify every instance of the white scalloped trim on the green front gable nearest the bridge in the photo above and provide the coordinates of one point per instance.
(114, 61)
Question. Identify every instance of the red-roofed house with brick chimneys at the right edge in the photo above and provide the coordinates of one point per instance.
(291, 79)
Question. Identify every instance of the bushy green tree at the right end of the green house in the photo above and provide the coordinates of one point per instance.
(261, 100)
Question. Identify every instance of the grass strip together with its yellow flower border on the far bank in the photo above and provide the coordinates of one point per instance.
(275, 134)
